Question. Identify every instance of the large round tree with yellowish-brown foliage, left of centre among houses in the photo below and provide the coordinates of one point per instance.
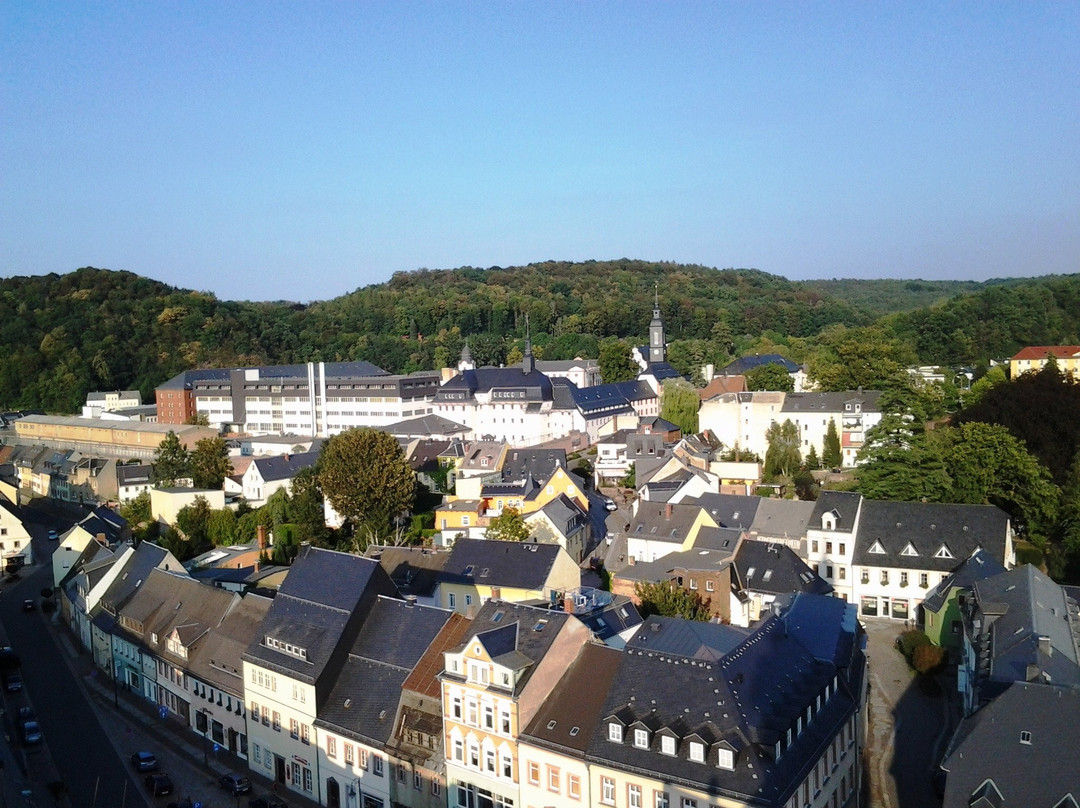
(364, 476)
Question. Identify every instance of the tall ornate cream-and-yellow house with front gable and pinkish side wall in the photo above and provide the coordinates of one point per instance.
(494, 685)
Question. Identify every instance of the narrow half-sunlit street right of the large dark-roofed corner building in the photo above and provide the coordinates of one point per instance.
(911, 721)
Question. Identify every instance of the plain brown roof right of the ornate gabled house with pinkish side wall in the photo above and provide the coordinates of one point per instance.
(569, 718)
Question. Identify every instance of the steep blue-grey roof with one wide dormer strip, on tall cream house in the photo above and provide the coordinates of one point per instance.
(315, 611)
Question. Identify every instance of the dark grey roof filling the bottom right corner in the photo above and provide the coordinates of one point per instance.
(1036, 773)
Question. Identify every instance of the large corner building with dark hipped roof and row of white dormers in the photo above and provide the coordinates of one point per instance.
(693, 720)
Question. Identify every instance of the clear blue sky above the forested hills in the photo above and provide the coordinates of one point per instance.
(300, 151)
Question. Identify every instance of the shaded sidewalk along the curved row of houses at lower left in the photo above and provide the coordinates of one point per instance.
(125, 715)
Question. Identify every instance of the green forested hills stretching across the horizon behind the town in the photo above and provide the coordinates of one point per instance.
(98, 330)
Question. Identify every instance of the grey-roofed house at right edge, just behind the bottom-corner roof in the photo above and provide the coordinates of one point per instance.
(1018, 627)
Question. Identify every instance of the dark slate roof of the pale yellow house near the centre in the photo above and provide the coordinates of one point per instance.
(514, 564)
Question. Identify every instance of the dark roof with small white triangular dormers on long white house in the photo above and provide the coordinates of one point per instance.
(925, 529)
